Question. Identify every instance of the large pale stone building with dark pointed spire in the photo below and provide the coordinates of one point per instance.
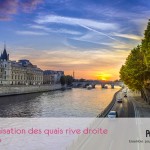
(22, 72)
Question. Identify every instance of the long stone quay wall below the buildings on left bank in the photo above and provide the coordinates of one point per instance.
(16, 90)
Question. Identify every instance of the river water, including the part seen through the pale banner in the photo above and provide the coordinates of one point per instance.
(73, 103)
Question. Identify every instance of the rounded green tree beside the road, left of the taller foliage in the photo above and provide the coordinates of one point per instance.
(132, 72)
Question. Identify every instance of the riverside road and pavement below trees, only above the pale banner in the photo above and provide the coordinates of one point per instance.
(132, 106)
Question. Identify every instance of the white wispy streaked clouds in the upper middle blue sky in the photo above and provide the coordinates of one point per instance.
(88, 24)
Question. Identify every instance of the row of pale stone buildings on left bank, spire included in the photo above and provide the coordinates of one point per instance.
(24, 72)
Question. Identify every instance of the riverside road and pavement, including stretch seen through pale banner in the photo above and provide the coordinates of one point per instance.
(121, 131)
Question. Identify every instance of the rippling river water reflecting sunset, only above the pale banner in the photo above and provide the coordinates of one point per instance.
(77, 102)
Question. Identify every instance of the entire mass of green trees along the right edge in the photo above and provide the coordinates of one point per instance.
(135, 73)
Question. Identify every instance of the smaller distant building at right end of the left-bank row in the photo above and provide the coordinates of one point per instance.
(52, 77)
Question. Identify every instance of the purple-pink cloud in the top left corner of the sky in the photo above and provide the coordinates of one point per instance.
(11, 7)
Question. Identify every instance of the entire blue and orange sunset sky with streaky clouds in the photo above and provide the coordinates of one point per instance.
(90, 37)
